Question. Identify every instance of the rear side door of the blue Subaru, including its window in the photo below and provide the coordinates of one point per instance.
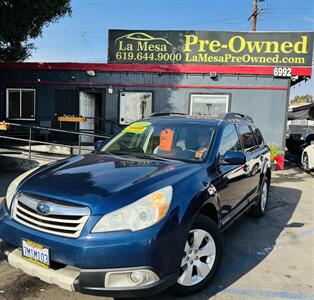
(254, 160)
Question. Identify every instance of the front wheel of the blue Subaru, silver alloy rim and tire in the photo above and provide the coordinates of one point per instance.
(197, 270)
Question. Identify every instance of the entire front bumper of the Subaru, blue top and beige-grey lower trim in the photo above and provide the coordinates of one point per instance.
(82, 264)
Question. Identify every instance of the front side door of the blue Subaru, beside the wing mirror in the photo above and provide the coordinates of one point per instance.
(230, 183)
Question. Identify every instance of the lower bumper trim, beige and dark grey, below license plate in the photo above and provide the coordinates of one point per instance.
(90, 282)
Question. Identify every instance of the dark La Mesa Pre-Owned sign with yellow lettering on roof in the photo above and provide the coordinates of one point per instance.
(208, 47)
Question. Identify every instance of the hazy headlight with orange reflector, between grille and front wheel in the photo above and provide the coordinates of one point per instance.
(141, 214)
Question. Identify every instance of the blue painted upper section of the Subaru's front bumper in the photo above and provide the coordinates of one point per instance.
(160, 246)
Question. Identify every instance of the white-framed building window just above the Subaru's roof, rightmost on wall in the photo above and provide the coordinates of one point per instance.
(208, 104)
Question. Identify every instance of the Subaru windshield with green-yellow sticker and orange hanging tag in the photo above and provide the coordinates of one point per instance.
(180, 141)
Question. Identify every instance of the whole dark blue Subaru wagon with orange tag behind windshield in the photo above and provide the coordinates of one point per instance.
(144, 212)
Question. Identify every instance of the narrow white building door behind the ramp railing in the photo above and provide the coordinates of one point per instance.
(87, 110)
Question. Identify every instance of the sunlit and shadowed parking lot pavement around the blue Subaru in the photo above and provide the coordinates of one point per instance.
(268, 258)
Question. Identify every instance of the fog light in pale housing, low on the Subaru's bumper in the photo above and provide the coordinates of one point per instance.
(127, 279)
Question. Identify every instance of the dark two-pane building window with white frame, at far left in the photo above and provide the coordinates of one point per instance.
(21, 104)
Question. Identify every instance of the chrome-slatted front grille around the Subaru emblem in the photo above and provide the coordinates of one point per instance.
(63, 219)
